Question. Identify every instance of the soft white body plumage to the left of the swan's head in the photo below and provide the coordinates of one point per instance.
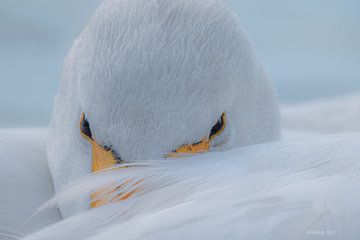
(25, 182)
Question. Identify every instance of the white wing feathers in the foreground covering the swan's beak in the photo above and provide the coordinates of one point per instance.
(283, 190)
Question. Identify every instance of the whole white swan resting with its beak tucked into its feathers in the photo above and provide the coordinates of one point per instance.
(166, 126)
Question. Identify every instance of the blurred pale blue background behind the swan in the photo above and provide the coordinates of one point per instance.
(311, 49)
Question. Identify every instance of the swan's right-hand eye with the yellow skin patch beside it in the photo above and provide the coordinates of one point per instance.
(204, 144)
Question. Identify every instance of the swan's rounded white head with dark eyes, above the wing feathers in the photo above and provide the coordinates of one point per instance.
(150, 79)
